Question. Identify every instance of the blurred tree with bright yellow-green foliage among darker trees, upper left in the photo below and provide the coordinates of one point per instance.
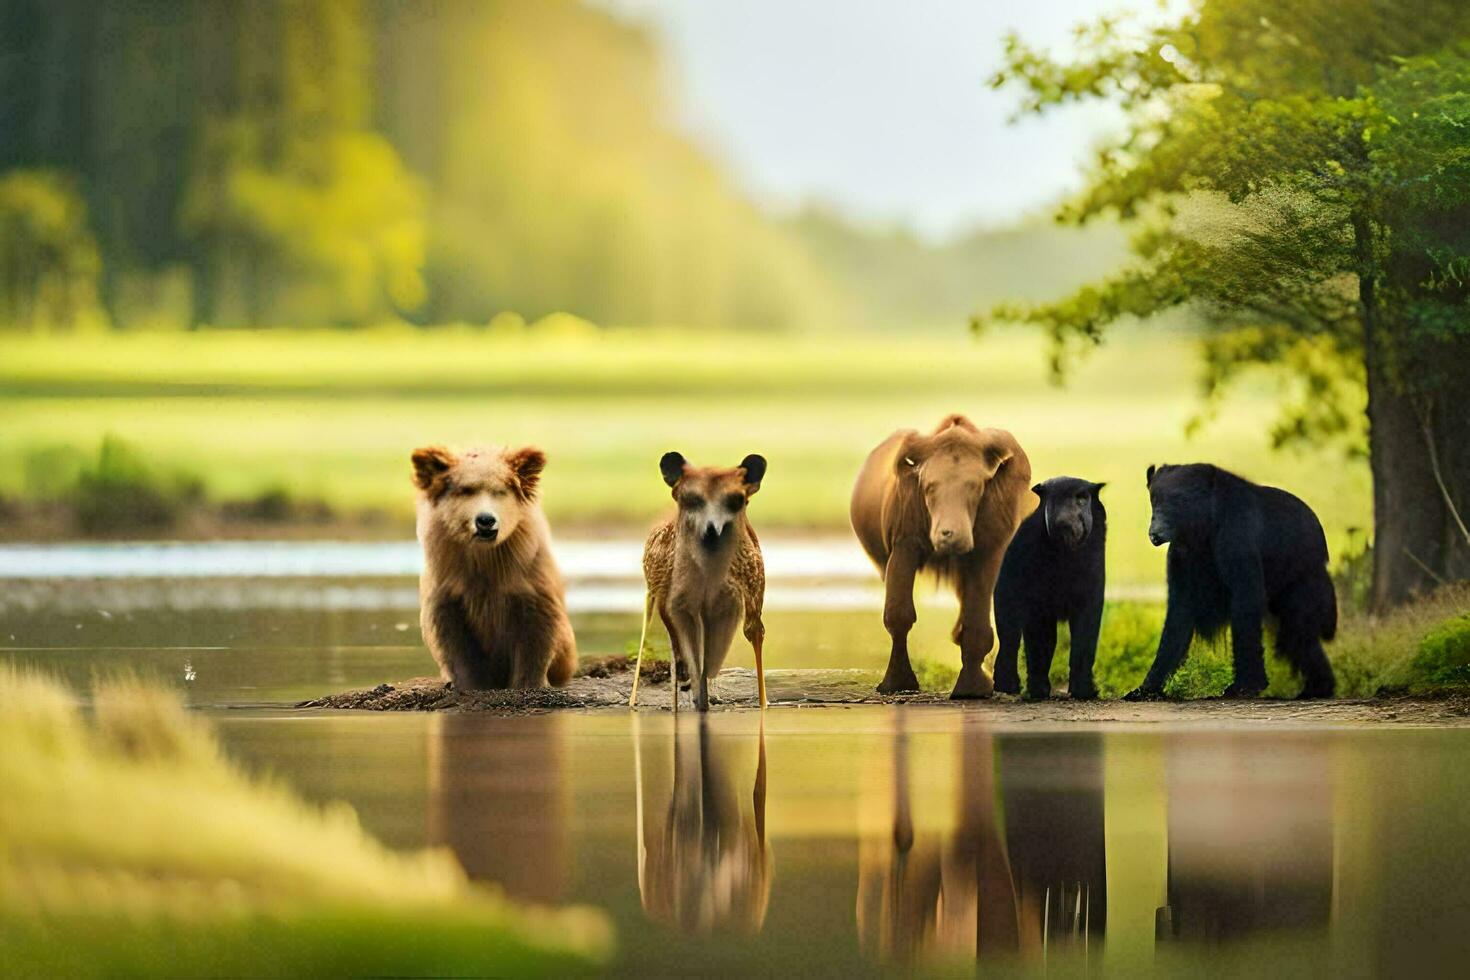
(298, 211)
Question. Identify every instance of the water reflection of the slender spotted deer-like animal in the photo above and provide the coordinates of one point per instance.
(706, 866)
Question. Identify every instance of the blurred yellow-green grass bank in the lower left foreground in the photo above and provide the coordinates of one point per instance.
(135, 847)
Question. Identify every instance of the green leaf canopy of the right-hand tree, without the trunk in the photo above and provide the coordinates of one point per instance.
(1268, 151)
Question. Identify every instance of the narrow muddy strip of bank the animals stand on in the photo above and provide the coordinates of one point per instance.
(606, 684)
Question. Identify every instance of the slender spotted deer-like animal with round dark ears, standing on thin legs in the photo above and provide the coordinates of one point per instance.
(705, 571)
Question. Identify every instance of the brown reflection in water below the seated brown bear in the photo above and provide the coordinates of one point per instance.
(498, 800)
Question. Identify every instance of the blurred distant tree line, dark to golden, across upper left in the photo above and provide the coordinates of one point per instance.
(287, 162)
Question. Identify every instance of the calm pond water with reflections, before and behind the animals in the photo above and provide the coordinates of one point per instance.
(820, 840)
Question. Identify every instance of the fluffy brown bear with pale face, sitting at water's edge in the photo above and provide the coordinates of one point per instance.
(492, 602)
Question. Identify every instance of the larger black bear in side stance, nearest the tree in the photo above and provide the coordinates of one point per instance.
(1237, 555)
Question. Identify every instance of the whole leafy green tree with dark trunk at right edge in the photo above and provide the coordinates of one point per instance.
(1302, 176)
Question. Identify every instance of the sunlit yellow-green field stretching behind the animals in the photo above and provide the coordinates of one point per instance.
(334, 415)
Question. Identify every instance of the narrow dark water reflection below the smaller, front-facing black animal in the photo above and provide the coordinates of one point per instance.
(1053, 794)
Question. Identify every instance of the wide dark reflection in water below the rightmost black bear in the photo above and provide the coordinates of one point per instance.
(1250, 840)
